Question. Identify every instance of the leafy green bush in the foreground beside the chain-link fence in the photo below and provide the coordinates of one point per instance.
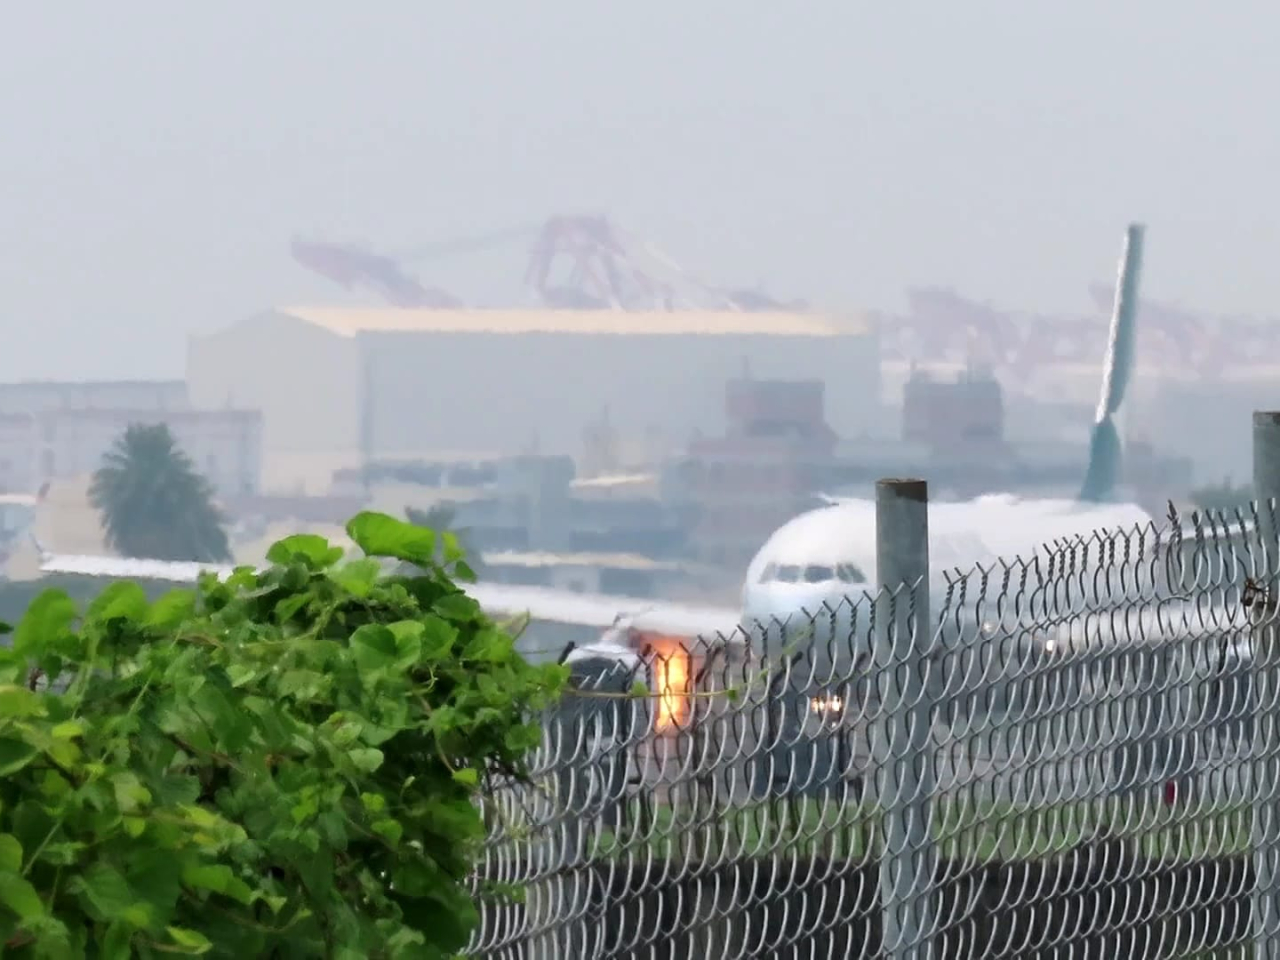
(285, 765)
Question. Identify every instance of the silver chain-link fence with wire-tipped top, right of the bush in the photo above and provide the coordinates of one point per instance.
(1059, 756)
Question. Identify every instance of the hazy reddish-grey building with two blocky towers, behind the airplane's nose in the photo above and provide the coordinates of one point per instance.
(780, 455)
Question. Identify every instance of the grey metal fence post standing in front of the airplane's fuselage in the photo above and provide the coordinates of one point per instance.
(904, 778)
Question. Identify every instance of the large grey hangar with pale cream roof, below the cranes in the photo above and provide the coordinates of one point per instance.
(339, 386)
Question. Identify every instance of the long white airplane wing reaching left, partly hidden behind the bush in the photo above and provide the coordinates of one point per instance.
(538, 604)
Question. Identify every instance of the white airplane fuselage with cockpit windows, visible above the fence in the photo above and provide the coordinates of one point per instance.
(816, 568)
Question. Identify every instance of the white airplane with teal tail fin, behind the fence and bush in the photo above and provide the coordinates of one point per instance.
(821, 559)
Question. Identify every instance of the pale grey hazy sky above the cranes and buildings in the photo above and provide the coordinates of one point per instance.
(158, 157)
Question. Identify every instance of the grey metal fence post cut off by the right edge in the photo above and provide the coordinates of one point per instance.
(1267, 808)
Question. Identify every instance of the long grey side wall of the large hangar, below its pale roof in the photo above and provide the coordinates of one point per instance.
(461, 392)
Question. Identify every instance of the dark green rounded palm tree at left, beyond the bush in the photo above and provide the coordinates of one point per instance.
(153, 502)
